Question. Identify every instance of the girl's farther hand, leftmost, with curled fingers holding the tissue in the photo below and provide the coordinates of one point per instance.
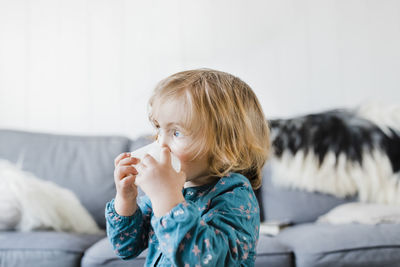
(124, 178)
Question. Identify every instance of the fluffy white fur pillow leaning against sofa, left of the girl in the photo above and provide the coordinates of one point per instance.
(29, 203)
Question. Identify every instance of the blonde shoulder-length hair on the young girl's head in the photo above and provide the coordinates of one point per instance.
(225, 118)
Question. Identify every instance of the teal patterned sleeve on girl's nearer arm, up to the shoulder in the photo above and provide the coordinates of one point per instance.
(226, 235)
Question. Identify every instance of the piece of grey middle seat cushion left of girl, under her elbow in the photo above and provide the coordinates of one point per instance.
(102, 254)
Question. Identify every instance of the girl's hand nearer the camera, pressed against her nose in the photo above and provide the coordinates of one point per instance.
(161, 183)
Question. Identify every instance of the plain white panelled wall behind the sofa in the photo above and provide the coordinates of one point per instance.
(88, 66)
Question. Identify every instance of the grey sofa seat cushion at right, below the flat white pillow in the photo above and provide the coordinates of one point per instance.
(344, 245)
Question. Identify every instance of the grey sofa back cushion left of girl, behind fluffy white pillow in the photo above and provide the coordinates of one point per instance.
(84, 164)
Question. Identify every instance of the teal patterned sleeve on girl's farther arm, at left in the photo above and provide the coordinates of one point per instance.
(129, 235)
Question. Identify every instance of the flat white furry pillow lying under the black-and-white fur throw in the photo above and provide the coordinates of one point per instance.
(364, 213)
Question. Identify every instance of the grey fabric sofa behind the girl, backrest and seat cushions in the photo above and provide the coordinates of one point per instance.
(84, 164)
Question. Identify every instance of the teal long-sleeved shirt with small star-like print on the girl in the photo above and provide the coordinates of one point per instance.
(217, 225)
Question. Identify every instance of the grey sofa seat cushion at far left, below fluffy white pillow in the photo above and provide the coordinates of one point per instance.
(43, 249)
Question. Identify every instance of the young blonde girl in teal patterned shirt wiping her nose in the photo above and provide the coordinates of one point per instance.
(207, 214)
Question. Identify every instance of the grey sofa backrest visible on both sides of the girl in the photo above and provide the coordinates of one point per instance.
(84, 164)
